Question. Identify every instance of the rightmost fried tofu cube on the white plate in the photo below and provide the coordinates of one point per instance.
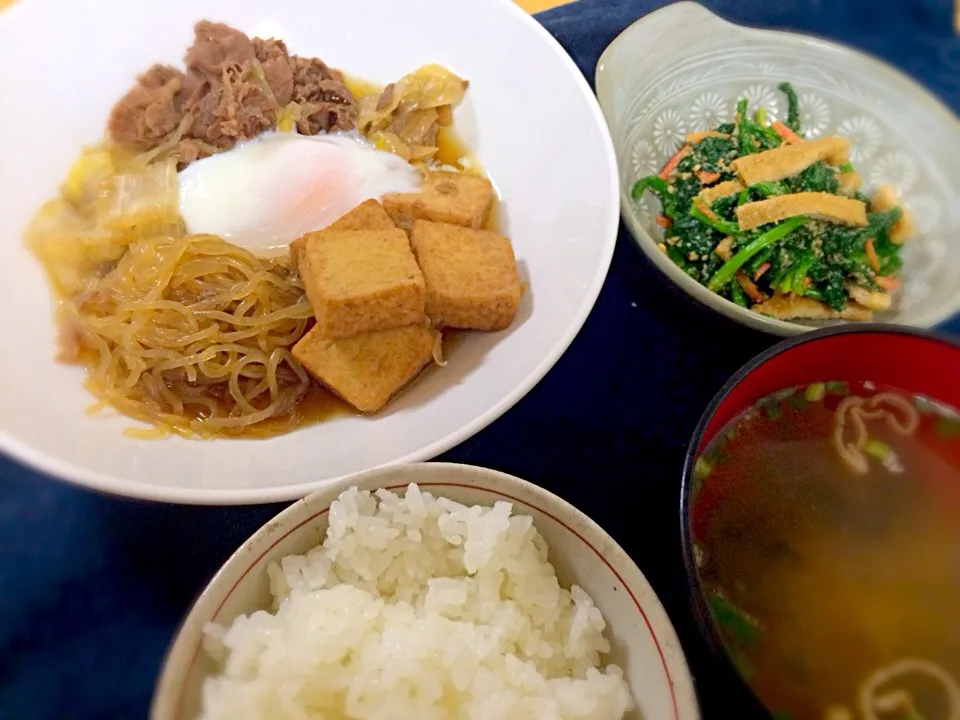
(471, 275)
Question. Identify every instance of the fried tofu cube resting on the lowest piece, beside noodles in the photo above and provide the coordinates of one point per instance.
(362, 280)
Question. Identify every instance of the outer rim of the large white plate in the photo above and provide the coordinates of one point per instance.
(114, 484)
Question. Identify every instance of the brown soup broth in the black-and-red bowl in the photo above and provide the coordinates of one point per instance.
(841, 573)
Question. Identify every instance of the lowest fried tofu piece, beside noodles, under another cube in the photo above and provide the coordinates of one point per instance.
(367, 370)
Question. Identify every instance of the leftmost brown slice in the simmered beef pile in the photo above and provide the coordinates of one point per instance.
(150, 111)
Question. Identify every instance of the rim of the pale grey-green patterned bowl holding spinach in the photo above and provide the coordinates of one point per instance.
(642, 239)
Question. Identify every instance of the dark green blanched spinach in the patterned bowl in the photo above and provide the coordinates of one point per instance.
(805, 257)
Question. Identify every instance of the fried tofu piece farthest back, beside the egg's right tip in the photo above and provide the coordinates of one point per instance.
(450, 197)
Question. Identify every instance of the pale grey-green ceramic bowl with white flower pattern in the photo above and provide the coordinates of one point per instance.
(683, 68)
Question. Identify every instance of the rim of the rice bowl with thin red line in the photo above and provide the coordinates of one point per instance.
(168, 693)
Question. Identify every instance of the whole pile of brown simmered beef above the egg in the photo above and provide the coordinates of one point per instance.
(231, 91)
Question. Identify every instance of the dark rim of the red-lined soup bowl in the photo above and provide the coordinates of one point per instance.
(698, 605)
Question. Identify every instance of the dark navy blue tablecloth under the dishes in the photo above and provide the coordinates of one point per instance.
(92, 587)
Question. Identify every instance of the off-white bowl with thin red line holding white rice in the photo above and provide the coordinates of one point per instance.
(644, 642)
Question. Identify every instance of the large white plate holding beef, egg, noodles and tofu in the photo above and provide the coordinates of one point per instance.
(529, 115)
